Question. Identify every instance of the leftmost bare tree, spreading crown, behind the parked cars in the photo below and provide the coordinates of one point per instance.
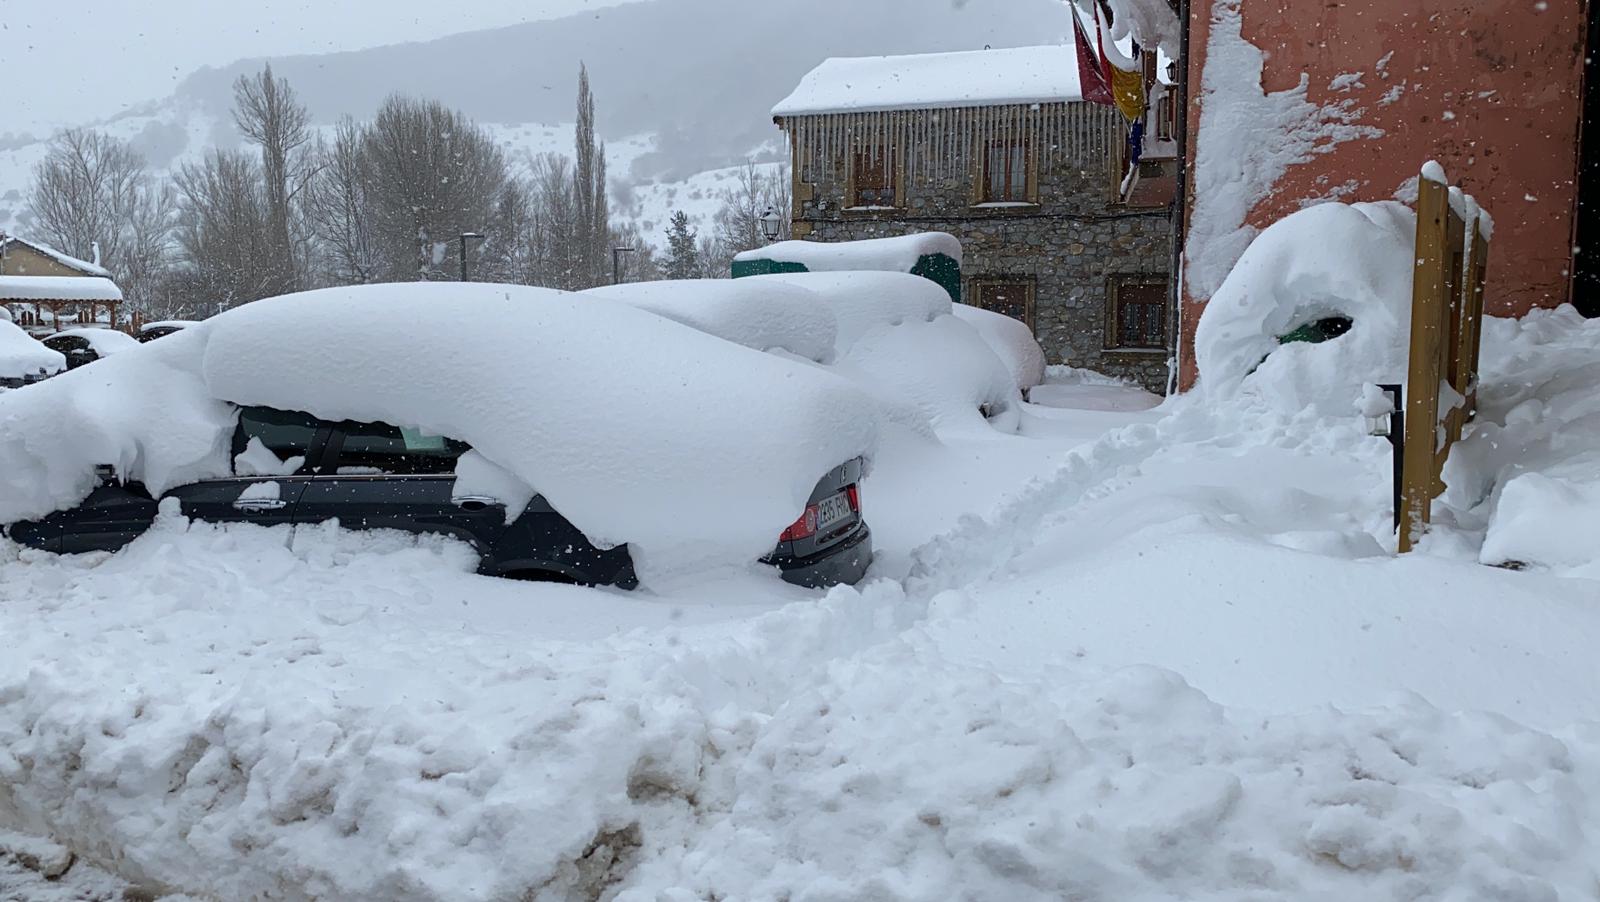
(95, 191)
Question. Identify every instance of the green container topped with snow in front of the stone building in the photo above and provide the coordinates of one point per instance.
(935, 257)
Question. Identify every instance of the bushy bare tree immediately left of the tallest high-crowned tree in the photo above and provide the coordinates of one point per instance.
(223, 233)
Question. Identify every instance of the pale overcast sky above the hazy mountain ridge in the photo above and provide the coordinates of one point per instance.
(76, 62)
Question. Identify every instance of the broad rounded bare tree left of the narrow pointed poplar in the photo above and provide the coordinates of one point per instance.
(431, 175)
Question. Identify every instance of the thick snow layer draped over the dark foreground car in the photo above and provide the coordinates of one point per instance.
(634, 428)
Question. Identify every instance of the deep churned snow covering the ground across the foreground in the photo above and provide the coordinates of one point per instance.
(1129, 653)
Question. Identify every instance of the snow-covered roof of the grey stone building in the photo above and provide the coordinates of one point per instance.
(964, 79)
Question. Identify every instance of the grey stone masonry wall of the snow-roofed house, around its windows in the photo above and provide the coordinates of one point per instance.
(1071, 244)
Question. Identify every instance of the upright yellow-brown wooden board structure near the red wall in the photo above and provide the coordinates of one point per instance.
(1447, 317)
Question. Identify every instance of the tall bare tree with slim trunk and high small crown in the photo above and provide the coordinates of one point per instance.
(268, 113)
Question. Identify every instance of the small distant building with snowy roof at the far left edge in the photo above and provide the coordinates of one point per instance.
(46, 290)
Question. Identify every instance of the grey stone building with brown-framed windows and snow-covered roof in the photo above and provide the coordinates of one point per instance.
(999, 150)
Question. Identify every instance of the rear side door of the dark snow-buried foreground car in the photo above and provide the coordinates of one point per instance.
(385, 477)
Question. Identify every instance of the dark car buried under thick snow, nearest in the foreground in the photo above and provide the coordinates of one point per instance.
(438, 409)
